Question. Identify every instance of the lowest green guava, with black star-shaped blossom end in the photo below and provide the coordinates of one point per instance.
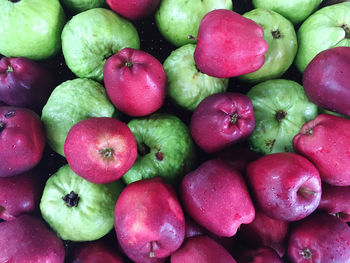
(76, 209)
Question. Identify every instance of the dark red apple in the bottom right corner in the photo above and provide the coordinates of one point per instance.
(319, 238)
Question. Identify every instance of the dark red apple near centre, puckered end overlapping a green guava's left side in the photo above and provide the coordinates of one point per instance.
(221, 120)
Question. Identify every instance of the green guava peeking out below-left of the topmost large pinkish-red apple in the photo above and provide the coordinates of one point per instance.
(187, 86)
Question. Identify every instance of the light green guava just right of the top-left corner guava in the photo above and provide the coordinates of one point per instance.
(91, 37)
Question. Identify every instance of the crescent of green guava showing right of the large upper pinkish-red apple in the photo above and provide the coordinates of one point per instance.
(280, 35)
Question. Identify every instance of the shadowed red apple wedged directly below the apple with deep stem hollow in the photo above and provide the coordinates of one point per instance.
(266, 231)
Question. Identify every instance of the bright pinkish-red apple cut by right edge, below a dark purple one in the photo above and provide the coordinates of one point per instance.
(325, 141)
